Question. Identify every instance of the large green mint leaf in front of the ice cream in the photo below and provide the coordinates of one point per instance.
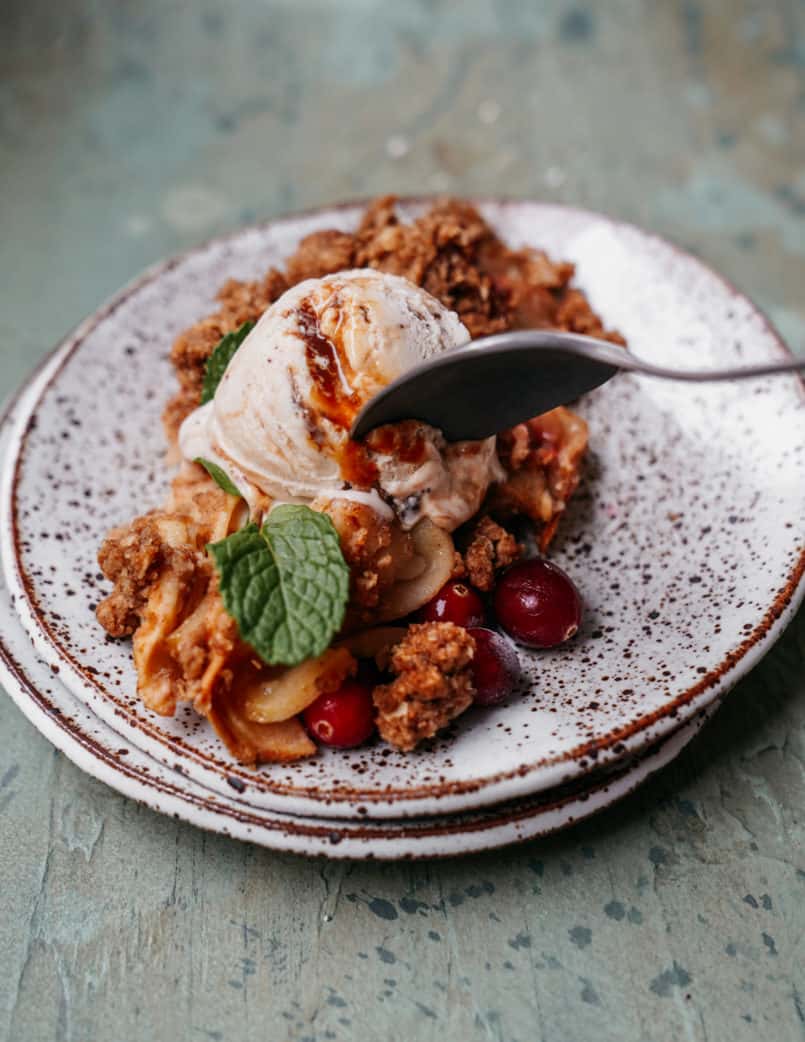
(286, 585)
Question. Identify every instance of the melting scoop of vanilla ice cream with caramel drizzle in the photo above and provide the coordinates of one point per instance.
(281, 419)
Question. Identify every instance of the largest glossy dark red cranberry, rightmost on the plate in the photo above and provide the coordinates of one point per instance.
(538, 604)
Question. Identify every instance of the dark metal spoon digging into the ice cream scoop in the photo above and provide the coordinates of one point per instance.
(497, 382)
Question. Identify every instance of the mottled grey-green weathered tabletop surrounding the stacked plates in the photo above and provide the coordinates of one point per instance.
(130, 131)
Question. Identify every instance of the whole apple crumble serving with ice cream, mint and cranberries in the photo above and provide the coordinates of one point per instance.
(300, 587)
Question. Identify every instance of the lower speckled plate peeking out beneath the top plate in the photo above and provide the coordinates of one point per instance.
(97, 750)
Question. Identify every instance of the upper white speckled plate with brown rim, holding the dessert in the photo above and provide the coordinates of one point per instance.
(687, 539)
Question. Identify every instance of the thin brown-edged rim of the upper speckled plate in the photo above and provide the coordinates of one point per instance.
(501, 785)
